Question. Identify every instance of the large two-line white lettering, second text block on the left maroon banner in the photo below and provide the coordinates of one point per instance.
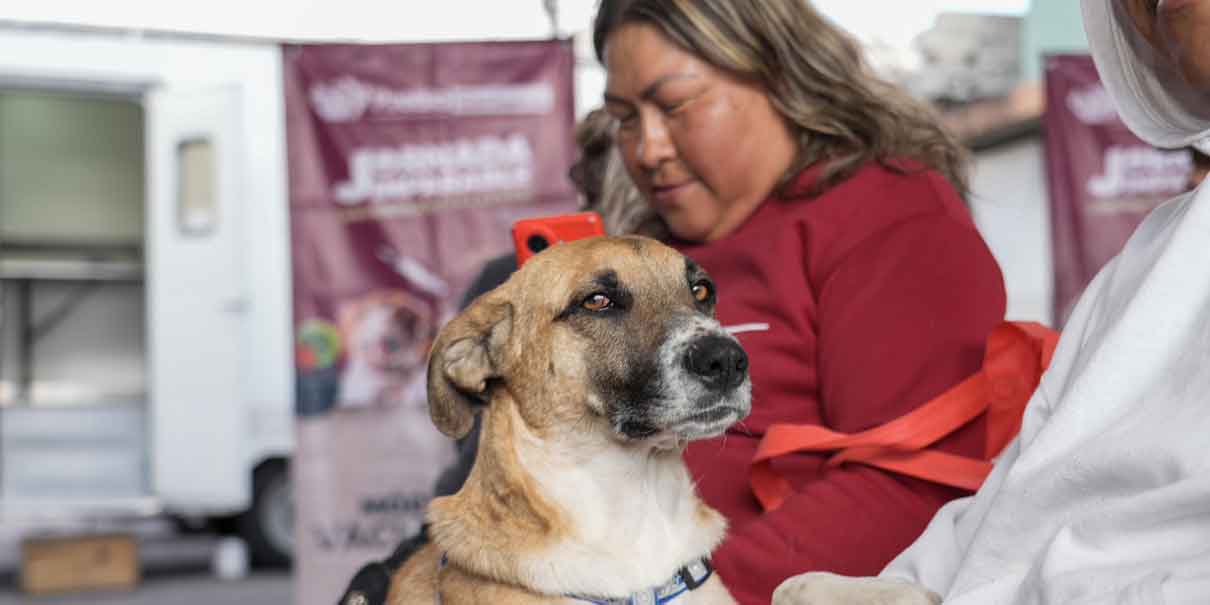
(411, 171)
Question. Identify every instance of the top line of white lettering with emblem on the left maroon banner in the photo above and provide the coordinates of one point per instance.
(349, 100)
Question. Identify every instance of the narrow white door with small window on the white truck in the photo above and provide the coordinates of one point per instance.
(195, 299)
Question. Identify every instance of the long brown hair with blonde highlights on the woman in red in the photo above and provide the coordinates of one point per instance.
(815, 76)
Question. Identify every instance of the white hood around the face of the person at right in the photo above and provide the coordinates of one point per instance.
(1153, 99)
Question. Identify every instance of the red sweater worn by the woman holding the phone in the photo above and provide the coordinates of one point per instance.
(855, 308)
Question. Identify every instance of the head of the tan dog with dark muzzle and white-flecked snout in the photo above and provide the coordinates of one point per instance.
(616, 333)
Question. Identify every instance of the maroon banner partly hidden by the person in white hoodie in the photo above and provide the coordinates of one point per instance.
(1102, 180)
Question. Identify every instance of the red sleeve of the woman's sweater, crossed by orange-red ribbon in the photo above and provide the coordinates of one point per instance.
(902, 316)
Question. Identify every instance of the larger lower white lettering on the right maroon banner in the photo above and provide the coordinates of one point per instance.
(1140, 170)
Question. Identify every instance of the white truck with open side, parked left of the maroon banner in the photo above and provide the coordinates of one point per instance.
(146, 349)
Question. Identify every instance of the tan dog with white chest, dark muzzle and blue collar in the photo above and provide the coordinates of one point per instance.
(594, 365)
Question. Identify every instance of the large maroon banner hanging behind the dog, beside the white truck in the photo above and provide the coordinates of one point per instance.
(407, 166)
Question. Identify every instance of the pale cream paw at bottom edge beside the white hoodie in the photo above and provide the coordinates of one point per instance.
(822, 589)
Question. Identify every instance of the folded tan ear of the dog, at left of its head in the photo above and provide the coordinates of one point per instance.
(464, 360)
